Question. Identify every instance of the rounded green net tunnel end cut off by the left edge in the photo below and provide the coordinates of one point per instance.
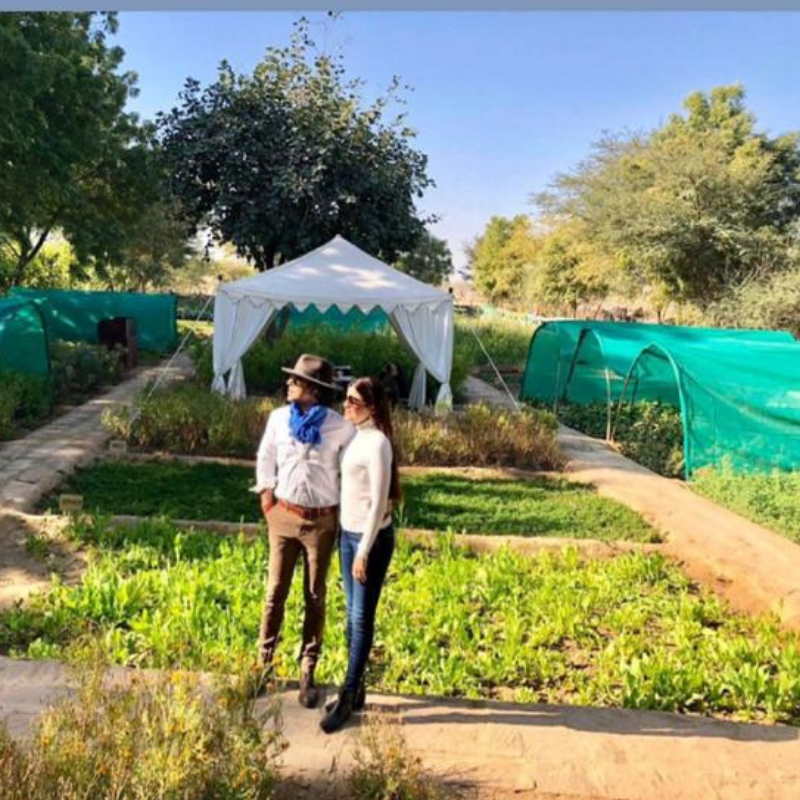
(23, 338)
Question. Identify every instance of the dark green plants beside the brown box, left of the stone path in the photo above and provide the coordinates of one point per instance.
(80, 369)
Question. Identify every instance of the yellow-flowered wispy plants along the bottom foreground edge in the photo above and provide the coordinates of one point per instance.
(173, 736)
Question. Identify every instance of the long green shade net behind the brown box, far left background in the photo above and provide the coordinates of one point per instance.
(74, 315)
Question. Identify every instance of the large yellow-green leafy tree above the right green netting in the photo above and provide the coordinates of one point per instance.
(693, 208)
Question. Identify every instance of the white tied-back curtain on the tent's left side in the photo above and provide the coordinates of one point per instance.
(237, 324)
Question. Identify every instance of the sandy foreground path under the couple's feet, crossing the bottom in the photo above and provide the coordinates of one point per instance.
(514, 750)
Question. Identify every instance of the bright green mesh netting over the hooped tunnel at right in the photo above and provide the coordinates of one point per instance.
(738, 390)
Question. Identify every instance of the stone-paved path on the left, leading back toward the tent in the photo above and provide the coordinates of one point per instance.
(32, 466)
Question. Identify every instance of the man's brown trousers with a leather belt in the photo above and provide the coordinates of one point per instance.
(290, 536)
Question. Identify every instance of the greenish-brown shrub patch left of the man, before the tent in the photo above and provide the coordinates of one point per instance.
(190, 420)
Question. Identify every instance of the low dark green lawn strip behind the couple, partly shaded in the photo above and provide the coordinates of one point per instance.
(438, 501)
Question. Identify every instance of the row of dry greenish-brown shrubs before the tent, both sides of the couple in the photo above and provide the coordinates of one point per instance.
(188, 419)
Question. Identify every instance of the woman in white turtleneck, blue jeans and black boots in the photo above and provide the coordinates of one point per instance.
(370, 483)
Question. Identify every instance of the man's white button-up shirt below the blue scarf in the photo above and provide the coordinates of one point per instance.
(304, 474)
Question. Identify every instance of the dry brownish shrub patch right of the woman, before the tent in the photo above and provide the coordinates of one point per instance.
(480, 436)
